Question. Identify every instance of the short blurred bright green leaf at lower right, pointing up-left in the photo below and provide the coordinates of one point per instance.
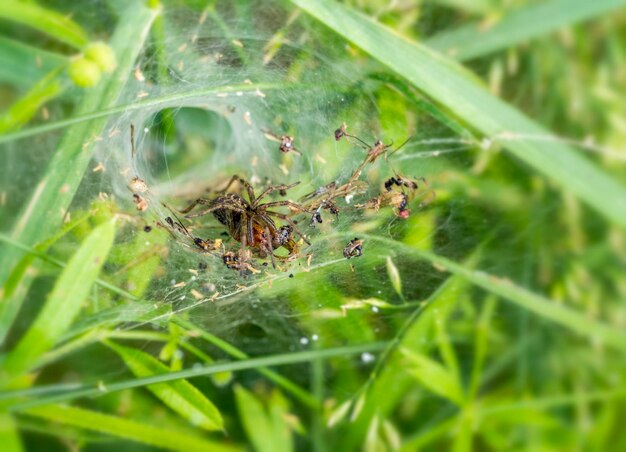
(434, 376)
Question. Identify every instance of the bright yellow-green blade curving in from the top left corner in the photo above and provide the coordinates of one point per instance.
(46, 21)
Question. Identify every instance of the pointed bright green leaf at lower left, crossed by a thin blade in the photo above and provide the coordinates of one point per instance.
(181, 396)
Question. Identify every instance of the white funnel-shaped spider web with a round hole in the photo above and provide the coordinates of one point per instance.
(200, 102)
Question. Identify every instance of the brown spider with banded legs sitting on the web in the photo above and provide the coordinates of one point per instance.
(250, 221)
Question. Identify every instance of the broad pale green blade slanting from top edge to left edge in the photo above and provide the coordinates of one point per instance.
(52, 196)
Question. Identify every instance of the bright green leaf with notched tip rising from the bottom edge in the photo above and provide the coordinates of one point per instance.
(267, 431)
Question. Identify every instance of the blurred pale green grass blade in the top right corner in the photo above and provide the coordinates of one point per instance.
(518, 26)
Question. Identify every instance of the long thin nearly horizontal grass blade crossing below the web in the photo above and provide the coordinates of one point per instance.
(61, 394)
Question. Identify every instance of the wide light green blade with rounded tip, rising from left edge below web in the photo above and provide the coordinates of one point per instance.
(64, 302)
